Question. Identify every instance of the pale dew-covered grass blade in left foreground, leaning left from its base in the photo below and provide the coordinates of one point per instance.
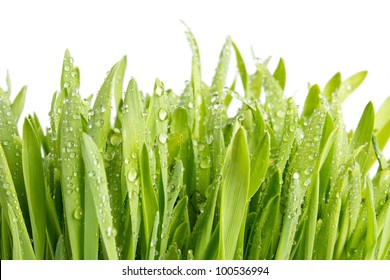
(96, 182)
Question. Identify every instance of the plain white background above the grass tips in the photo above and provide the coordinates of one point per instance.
(316, 39)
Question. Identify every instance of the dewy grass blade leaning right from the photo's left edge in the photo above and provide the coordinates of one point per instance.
(22, 248)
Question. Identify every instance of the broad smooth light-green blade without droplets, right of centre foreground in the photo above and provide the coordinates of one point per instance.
(234, 193)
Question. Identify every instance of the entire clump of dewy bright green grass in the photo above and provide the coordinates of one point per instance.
(167, 176)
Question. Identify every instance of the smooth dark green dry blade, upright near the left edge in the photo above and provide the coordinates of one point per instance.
(35, 186)
